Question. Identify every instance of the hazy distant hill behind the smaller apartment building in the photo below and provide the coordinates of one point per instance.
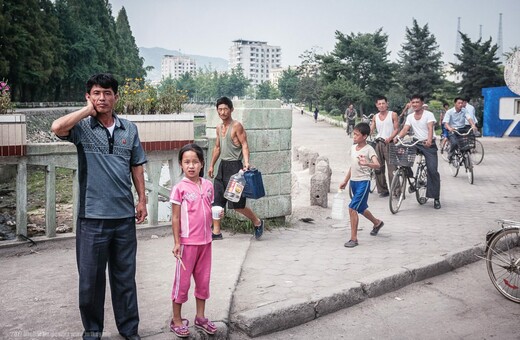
(153, 56)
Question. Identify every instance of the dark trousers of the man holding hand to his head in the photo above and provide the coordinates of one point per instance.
(98, 243)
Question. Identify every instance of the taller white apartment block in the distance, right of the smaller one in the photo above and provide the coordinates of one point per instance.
(256, 58)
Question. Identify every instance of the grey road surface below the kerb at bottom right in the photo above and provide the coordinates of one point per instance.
(462, 304)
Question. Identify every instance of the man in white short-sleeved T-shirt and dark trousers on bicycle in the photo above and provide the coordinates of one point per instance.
(422, 123)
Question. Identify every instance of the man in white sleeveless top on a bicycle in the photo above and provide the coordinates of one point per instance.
(387, 125)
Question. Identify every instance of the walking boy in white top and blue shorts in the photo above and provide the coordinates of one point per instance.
(363, 157)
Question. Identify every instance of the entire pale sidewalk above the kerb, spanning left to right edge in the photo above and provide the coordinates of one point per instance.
(292, 275)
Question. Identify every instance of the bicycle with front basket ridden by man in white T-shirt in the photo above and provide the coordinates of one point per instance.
(402, 155)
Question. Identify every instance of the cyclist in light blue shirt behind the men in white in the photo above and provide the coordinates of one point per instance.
(455, 119)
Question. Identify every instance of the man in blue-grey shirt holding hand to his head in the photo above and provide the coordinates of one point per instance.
(110, 158)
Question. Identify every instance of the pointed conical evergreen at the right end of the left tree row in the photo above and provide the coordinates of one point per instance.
(128, 52)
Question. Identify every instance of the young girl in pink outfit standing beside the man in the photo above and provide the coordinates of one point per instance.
(191, 200)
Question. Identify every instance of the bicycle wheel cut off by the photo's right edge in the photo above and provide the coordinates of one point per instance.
(503, 263)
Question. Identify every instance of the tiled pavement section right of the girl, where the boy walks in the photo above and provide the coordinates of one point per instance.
(307, 263)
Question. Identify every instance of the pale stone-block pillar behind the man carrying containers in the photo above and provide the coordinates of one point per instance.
(268, 128)
